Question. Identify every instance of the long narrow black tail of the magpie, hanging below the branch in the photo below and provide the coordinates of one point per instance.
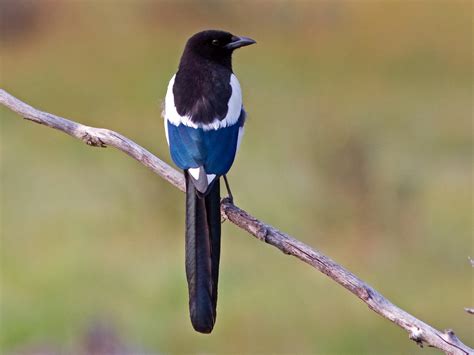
(203, 244)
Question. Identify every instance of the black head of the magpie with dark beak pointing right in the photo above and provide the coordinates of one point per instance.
(215, 45)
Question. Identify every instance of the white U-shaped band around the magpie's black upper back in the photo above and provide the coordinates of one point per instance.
(234, 106)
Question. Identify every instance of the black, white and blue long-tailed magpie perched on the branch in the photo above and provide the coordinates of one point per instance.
(204, 123)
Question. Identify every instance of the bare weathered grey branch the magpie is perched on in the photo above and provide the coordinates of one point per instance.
(418, 331)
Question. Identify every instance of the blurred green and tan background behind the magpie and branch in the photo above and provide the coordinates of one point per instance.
(358, 142)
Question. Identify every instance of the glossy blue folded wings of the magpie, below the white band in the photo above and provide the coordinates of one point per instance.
(215, 150)
